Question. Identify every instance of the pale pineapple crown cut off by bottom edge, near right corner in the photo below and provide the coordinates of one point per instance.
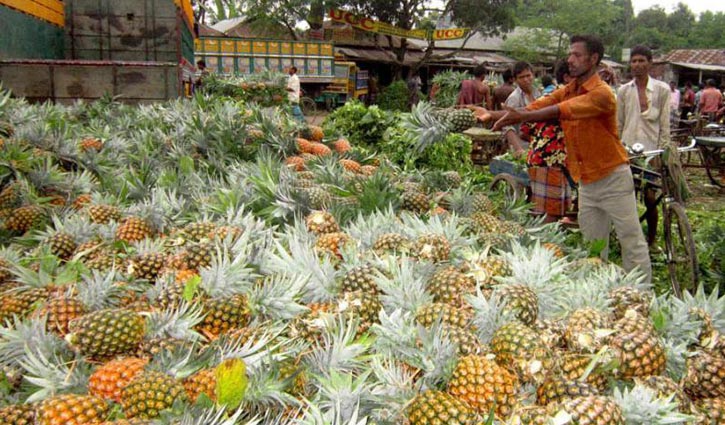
(641, 406)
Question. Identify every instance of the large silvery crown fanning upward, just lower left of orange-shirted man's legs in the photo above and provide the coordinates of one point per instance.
(537, 268)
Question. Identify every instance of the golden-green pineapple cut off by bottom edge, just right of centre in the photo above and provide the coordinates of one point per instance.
(438, 408)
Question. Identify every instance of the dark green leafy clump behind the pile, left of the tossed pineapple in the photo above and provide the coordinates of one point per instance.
(361, 125)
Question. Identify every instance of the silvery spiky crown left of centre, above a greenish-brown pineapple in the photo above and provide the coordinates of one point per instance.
(228, 275)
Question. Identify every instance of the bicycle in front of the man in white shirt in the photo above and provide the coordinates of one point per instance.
(680, 253)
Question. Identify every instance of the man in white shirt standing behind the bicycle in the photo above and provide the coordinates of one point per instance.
(643, 116)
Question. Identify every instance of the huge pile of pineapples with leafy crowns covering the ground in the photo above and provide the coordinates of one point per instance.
(205, 262)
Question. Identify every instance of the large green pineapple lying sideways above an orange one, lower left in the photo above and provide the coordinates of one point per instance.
(107, 333)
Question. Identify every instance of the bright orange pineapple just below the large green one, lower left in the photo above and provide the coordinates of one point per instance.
(109, 379)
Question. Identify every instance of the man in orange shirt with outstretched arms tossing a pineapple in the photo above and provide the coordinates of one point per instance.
(595, 155)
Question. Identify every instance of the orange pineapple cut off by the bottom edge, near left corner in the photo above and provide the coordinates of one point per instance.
(71, 409)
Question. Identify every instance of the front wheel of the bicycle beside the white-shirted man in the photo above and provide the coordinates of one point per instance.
(680, 249)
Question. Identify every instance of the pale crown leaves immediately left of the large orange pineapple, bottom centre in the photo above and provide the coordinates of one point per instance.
(398, 336)
